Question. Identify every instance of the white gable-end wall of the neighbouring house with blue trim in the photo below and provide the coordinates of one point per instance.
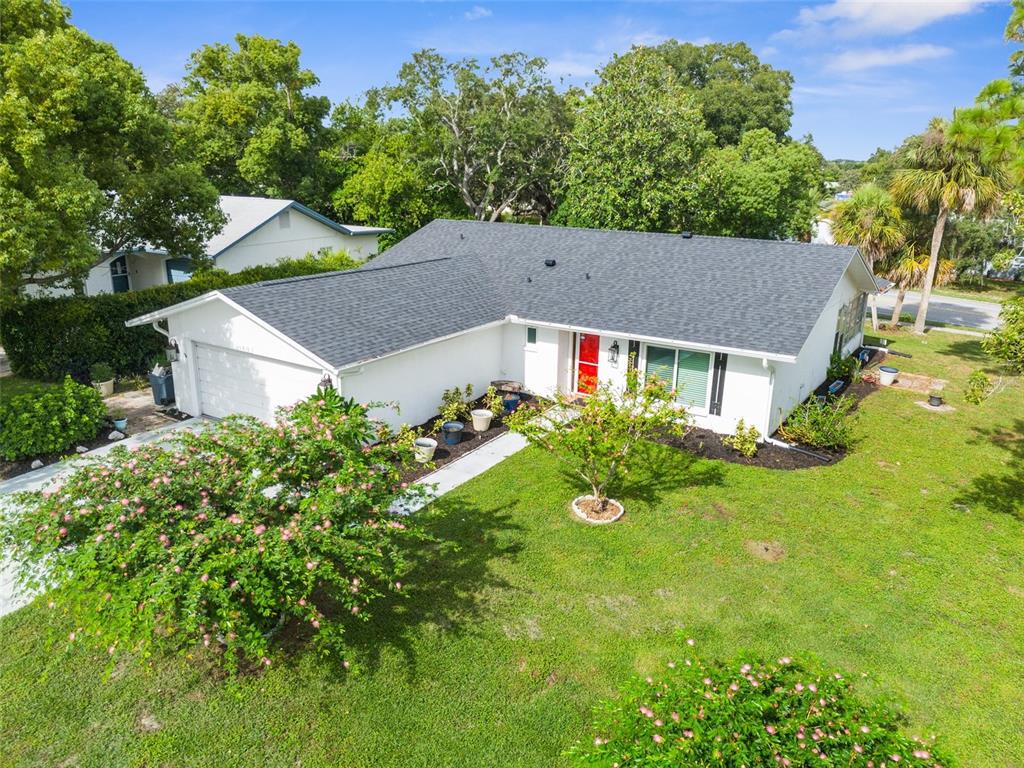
(291, 235)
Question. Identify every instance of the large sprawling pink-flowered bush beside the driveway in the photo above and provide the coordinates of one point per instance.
(224, 536)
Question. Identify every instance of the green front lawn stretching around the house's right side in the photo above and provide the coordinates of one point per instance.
(905, 565)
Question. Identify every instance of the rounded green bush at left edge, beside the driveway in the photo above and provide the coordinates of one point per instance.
(50, 420)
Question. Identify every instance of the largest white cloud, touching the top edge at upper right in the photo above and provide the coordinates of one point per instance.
(855, 18)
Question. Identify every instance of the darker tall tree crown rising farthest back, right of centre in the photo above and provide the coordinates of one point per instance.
(736, 92)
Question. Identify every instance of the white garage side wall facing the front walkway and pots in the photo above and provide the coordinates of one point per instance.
(417, 377)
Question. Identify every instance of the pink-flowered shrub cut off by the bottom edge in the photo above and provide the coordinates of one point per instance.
(748, 714)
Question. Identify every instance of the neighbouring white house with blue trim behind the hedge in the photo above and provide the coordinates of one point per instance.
(260, 231)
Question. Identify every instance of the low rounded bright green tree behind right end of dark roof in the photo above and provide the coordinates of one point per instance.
(762, 188)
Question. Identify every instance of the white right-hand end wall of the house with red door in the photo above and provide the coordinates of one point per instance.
(796, 381)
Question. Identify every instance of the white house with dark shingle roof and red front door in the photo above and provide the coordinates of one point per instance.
(743, 328)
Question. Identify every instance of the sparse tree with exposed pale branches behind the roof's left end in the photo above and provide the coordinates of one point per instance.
(493, 136)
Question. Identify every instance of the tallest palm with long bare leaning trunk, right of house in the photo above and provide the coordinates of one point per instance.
(948, 174)
